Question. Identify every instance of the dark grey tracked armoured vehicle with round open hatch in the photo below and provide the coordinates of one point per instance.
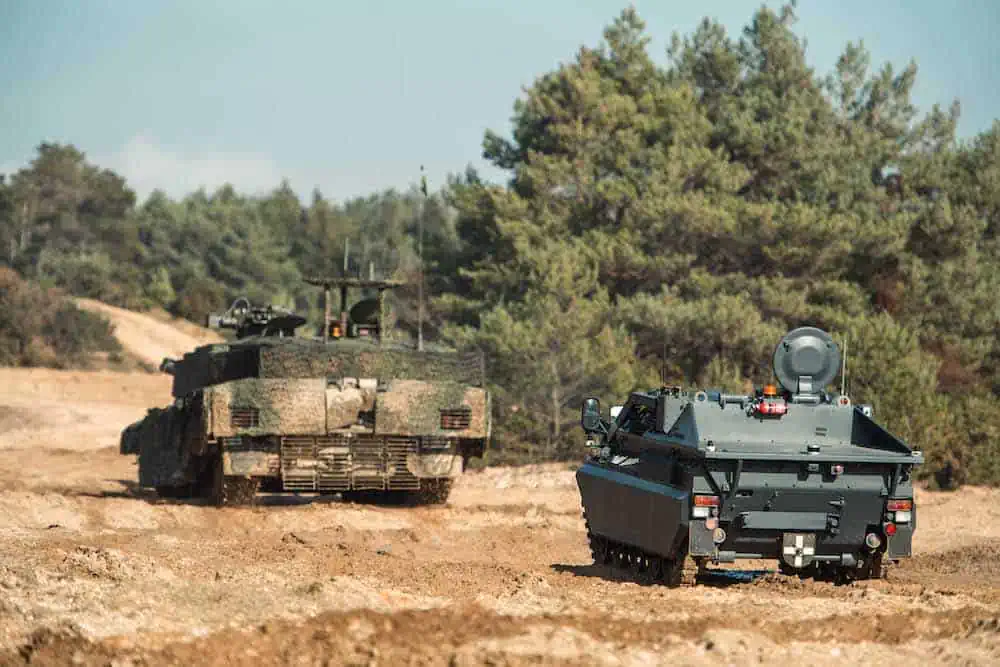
(791, 473)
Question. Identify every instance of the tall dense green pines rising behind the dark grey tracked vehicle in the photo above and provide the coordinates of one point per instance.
(735, 194)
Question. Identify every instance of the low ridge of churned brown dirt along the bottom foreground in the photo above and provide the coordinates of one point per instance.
(470, 635)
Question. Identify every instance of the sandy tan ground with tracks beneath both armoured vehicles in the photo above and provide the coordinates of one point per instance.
(94, 571)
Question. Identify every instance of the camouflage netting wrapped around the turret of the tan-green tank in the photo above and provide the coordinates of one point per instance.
(299, 358)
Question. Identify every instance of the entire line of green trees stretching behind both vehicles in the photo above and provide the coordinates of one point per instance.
(661, 224)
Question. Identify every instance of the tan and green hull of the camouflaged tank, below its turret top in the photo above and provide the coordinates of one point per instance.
(325, 434)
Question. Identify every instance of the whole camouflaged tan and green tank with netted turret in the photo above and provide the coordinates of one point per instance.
(347, 412)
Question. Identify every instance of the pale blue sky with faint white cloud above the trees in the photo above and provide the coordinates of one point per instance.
(354, 96)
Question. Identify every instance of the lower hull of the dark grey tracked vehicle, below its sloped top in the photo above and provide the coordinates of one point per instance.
(760, 518)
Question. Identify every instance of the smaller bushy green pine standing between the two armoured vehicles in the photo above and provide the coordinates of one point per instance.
(551, 349)
